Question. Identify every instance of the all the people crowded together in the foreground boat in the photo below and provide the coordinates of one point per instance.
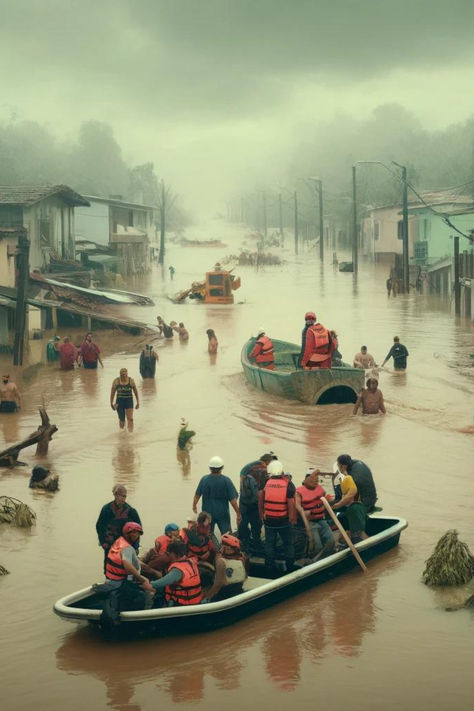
(187, 565)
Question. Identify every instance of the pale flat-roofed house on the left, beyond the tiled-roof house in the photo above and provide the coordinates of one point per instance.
(127, 228)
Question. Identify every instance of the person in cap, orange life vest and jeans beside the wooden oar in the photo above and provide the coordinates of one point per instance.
(312, 515)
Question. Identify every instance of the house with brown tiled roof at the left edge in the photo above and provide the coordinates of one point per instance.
(47, 213)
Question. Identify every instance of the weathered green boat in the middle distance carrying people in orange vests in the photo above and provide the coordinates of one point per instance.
(325, 386)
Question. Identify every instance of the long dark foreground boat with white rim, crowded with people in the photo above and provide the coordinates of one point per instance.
(260, 591)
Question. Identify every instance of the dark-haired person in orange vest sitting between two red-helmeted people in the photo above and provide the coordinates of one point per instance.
(181, 586)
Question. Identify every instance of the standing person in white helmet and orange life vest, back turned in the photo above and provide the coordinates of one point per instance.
(277, 511)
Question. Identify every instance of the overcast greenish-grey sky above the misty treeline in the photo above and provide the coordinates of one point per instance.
(215, 91)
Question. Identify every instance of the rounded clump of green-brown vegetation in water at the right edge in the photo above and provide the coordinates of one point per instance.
(451, 562)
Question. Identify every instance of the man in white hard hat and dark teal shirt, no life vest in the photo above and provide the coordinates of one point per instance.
(217, 491)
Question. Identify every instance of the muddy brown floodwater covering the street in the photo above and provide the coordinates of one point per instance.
(356, 642)
